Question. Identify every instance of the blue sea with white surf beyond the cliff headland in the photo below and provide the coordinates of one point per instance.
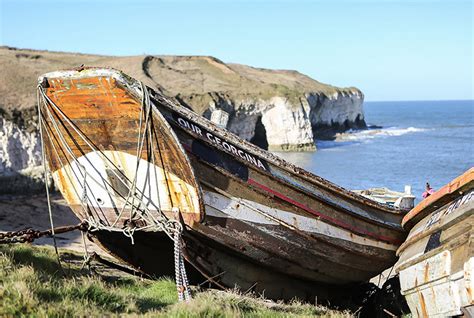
(408, 143)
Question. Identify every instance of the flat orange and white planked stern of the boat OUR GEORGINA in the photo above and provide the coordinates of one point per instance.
(93, 123)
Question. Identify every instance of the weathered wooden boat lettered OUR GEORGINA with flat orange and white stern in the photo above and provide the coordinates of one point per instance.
(252, 220)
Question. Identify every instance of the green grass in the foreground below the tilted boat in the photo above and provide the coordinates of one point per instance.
(33, 284)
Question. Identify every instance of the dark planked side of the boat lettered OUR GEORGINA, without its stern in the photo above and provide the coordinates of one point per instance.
(284, 223)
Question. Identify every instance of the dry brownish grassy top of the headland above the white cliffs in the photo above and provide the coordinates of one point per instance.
(174, 75)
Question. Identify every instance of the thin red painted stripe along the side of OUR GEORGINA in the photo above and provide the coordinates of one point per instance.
(324, 217)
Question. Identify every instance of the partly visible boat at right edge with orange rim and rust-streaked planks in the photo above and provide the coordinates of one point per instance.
(436, 263)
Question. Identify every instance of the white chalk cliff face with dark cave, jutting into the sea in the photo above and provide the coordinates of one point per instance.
(294, 126)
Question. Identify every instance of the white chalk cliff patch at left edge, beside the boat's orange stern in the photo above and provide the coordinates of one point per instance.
(18, 149)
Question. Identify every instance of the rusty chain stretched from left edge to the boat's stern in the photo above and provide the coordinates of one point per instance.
(29, 235)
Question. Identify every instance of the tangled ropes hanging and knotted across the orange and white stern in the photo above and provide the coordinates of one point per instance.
(134, 198)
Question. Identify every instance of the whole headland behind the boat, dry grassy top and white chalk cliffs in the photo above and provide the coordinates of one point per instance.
(278, 110)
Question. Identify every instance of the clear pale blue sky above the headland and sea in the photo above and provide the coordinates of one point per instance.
(391, 50)
